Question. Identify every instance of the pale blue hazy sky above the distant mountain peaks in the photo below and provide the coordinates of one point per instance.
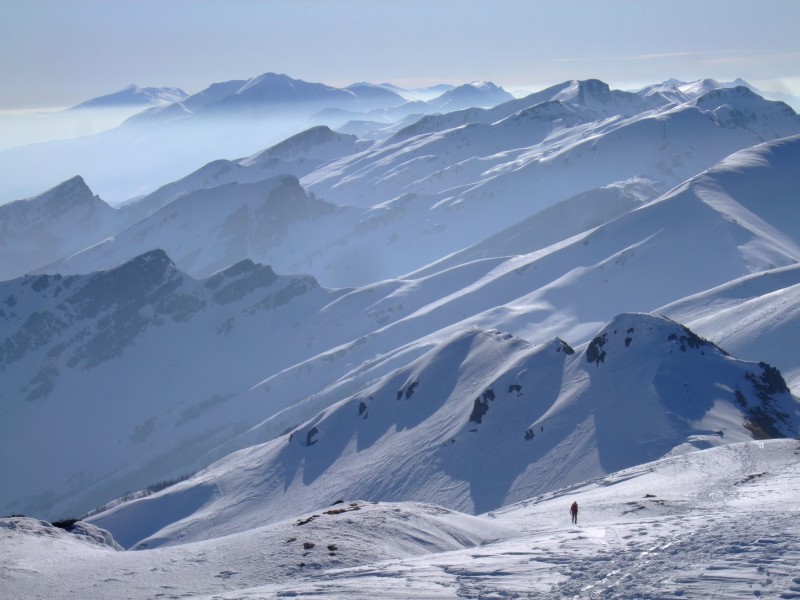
(61, 52)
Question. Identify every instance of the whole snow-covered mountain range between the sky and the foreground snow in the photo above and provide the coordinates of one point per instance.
(474, 301)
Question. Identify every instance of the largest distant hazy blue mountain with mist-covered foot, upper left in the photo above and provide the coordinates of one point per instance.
(228, 119)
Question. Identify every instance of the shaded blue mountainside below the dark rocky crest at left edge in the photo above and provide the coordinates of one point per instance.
(135, 372)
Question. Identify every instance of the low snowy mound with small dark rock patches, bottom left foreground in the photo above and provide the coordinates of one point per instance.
(350, 534)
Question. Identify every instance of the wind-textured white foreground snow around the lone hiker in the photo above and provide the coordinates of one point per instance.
(720, 523)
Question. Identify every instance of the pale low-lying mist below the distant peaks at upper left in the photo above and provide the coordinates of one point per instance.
(121, 159)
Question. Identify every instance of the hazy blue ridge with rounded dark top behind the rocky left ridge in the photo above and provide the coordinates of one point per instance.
(263, 220)
